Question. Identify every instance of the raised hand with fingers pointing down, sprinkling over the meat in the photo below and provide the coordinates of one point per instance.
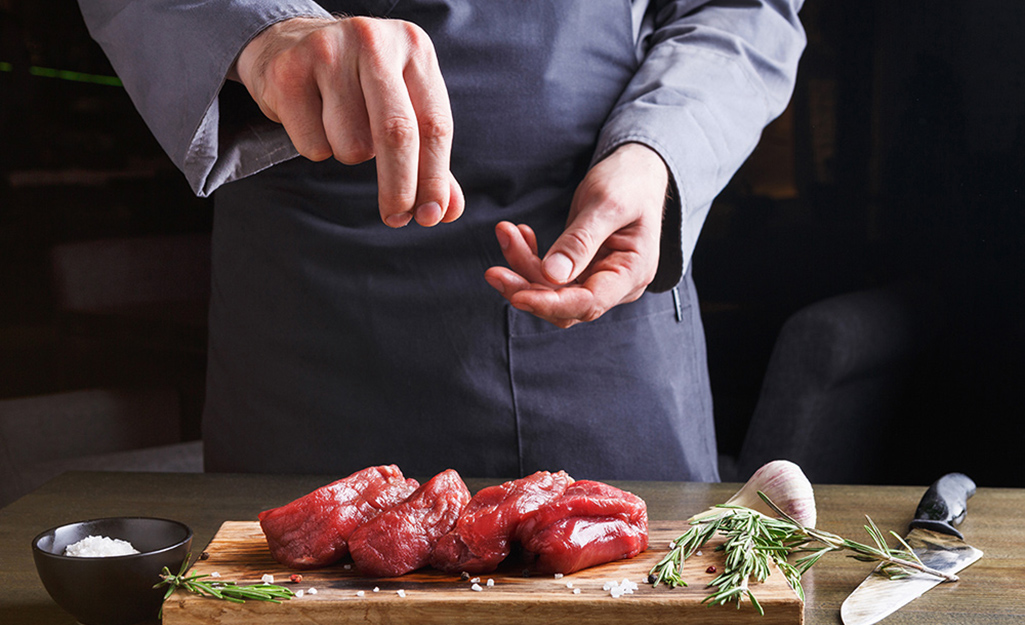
(357, 89)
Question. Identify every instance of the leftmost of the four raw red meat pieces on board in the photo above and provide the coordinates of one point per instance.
(314, 530)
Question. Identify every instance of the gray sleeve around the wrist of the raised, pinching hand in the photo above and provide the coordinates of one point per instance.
(174, 59)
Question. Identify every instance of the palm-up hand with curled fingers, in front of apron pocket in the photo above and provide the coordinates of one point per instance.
(608, 255)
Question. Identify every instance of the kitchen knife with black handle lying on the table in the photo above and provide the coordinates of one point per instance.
(934, 539)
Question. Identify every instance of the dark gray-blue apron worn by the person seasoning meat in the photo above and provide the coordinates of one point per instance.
(338, 344)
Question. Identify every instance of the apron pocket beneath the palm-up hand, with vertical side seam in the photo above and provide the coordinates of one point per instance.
(623, 398)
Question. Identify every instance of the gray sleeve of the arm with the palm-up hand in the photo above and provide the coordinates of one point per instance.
(716, 73)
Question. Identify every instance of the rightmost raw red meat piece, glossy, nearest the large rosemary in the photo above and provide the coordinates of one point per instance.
(592, 524)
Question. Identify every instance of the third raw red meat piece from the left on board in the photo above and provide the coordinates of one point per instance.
(484, 532)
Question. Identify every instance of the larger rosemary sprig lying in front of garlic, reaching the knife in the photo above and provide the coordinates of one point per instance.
(753, 541)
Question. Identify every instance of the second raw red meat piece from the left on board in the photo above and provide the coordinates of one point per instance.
(401, 539)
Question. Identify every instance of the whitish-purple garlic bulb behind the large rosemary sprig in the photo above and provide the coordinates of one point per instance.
(785, 484)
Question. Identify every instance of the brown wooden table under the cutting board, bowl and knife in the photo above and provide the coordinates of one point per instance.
(992, 593)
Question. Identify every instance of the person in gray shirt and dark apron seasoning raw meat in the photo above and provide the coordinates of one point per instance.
(457, 233)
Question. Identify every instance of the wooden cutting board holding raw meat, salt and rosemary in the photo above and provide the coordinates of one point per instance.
(238, 553)
